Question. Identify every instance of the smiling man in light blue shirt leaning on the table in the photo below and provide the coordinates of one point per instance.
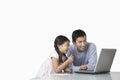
(85, 54)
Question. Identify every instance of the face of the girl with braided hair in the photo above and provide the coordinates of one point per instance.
(64, 47)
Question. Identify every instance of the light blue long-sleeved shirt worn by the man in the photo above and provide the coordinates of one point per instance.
(87, 57)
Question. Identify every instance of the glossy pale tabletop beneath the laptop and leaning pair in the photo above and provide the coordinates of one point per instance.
(80, 76)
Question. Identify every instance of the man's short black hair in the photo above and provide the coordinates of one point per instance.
(78, 33)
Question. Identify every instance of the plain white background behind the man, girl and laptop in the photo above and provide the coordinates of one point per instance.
(29, 27)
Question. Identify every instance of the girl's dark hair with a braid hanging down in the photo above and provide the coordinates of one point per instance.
(59, 40)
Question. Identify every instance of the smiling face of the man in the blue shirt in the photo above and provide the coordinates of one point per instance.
(80, 43)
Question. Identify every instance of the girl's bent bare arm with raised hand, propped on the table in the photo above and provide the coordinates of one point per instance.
(58, 68)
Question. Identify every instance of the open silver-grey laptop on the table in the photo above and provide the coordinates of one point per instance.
(104, 62)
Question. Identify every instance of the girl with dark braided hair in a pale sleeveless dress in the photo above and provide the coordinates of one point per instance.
(57, 61)
